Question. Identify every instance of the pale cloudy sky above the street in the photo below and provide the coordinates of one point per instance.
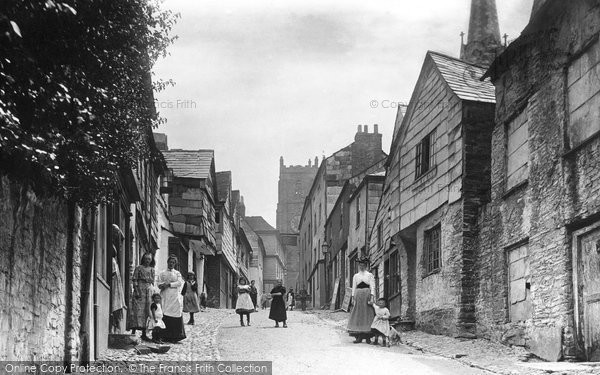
(256, 80)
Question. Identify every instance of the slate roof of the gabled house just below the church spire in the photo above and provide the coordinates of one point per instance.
(464, 78)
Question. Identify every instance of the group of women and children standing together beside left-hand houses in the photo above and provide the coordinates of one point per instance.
(156, 305)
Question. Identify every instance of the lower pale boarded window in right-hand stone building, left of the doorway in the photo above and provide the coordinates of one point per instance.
(519, 284)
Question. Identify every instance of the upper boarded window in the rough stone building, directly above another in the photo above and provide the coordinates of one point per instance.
(517, 151)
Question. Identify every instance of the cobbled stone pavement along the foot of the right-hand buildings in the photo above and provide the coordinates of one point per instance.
(479, 353)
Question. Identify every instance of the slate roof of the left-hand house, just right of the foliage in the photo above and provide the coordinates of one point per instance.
(190, 164)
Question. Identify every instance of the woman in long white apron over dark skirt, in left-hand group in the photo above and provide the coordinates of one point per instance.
(170, 282)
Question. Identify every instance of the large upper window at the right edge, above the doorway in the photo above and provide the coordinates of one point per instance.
(584, 96)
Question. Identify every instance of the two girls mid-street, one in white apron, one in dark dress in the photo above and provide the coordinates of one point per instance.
(247, 299)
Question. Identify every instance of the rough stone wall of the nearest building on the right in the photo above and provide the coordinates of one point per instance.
(559, 196)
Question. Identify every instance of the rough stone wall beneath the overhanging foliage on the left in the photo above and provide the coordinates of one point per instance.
(33, 277)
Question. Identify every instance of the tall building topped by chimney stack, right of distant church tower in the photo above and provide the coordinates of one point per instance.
(349, 161)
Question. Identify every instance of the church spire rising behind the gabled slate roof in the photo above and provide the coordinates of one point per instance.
(483, 42)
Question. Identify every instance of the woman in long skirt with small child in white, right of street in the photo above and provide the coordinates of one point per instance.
(369, 318)
